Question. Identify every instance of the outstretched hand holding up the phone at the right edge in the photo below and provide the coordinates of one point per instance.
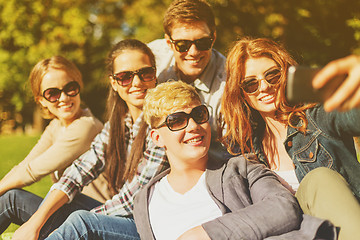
(347, 96)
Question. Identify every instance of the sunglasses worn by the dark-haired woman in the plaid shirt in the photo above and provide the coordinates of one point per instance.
(145, 74)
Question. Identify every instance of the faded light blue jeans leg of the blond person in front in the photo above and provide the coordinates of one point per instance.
(87, 225)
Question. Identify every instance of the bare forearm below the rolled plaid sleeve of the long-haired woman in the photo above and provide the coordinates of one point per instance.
(31, 229)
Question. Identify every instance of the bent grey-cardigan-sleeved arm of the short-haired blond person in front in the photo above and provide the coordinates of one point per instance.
(259, 205)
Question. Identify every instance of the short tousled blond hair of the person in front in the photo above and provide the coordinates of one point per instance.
(167, 97)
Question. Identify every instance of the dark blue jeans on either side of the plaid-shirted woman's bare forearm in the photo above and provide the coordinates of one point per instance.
(17, 206)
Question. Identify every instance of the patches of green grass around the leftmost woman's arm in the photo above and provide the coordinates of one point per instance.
(13, 150)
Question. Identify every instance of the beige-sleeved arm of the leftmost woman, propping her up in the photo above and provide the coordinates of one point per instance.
(52, 153)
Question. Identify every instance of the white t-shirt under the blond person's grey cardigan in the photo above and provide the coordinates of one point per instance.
(172, 214)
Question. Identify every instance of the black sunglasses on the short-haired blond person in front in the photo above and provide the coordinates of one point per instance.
(180, 120)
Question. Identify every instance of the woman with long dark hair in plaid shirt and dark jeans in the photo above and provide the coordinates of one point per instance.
(123, 151)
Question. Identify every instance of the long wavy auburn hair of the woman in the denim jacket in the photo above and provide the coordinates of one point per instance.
(239, 119)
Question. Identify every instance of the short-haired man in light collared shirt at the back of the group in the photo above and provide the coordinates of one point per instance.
(187, 54)
